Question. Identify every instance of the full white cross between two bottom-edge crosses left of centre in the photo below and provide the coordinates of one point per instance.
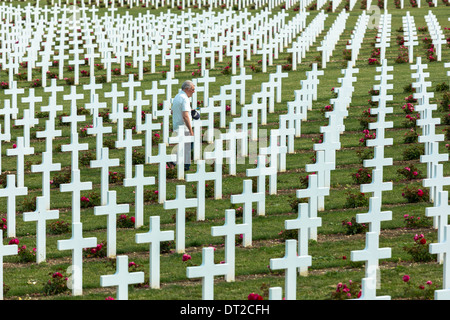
(154, 236)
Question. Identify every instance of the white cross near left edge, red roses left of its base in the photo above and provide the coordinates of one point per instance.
(41, 215)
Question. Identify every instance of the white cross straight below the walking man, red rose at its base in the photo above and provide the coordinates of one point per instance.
(180, 203)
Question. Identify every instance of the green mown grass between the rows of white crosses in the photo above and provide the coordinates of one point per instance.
(331, 252)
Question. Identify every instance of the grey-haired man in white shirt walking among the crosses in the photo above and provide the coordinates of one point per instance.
(181, 115)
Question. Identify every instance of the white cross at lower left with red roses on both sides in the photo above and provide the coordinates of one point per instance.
(110, 210)
